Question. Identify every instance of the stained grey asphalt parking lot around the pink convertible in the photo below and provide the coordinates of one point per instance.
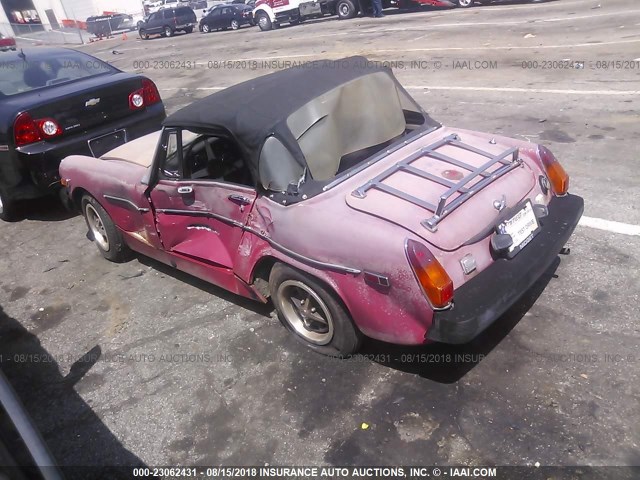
(150, 366)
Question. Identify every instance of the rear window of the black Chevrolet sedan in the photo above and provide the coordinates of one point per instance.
(24, 74)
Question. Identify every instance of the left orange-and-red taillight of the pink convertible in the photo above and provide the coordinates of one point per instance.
(433, 279)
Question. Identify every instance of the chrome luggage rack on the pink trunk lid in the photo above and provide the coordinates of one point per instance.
(442, 209)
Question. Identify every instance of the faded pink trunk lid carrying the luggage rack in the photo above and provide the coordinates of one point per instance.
(447, 191)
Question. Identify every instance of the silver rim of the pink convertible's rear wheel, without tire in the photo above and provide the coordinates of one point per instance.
(305, 311)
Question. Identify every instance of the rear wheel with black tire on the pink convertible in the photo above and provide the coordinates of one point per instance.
(341, 338)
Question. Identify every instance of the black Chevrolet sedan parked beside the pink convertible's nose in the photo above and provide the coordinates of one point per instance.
(57, 102)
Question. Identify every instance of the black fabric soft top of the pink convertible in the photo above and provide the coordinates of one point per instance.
(259, 108)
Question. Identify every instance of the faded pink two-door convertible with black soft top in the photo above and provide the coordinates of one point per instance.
(328, 189)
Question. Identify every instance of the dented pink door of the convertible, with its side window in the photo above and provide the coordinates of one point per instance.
(202, 198)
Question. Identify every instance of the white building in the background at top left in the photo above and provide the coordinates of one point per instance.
(17, 16)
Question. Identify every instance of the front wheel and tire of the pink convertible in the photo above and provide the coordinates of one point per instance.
(115, 249)
